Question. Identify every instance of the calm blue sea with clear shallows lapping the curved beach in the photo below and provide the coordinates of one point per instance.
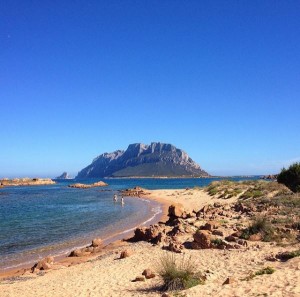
(37, 221)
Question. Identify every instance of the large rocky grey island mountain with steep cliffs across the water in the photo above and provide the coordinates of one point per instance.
(140, 160)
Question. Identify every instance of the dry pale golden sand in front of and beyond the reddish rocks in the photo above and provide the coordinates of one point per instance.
(110, 276)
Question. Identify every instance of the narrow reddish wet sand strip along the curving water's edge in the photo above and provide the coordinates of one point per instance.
(108, 241)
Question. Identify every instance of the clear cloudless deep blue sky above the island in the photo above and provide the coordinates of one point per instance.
(218, 79)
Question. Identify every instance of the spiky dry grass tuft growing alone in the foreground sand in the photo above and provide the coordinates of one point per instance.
(178, 275)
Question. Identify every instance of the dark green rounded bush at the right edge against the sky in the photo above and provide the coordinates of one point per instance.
(290, 177)
